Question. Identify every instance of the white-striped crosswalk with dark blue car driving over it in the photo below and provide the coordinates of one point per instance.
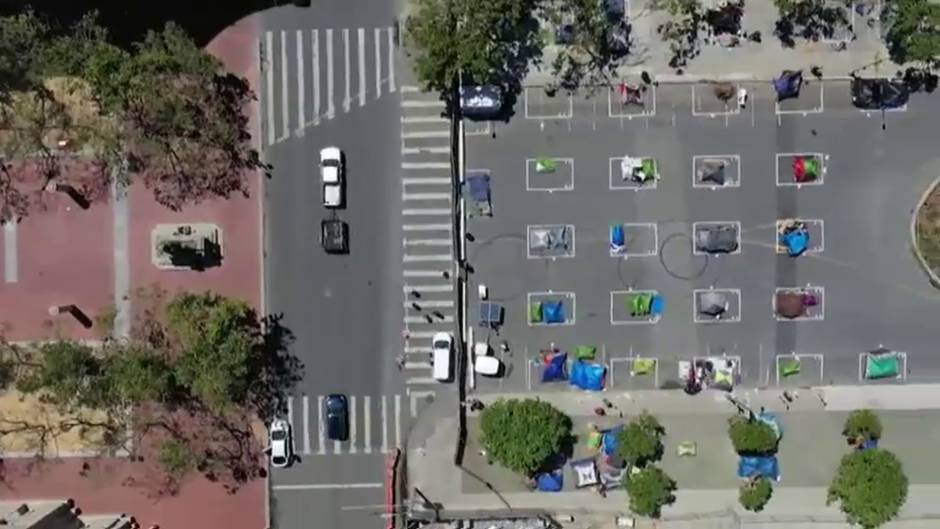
(377, 423)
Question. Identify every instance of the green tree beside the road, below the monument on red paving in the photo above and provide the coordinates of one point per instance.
(218, 339)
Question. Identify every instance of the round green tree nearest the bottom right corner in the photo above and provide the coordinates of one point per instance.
(870, 486)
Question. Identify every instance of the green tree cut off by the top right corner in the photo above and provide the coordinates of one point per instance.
(913, 31)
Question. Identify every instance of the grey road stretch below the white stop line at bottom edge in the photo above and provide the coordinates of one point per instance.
(334, 508)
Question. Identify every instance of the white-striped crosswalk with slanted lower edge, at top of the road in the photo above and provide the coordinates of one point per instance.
(310, 73)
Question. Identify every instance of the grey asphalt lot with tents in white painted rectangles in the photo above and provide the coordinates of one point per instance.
(557, 174)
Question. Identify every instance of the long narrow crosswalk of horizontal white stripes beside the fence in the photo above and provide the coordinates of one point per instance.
(428, 229)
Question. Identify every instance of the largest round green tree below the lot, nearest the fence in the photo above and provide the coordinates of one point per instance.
(523, 435)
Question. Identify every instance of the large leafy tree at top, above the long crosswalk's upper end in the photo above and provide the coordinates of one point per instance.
(484, 42)
